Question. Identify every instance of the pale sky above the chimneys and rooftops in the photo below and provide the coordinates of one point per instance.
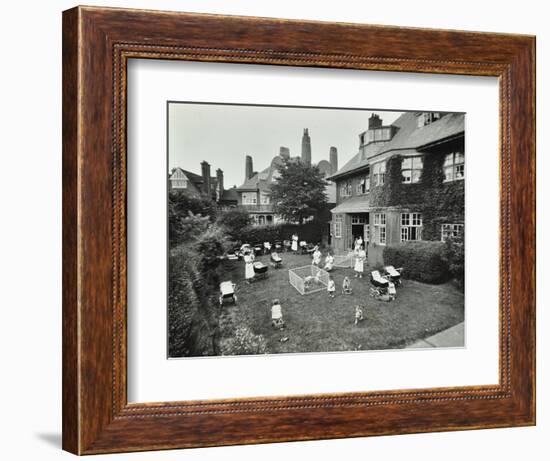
(224, 134)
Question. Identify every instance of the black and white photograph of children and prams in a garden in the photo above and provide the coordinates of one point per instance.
(314, 229)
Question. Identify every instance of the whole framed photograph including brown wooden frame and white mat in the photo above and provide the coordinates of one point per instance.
(281, 230)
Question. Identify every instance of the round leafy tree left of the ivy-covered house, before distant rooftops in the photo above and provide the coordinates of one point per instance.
(299, 191)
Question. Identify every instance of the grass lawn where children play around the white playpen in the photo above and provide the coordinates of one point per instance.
(317, 323)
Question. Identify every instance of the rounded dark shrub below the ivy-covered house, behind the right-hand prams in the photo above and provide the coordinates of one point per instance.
(422, 261)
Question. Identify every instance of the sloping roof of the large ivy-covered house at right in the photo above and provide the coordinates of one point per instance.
(408, 136)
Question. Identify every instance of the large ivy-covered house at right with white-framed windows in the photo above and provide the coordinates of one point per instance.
(406, 183)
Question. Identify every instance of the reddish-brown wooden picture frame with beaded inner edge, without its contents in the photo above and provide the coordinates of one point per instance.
(97, 44)
